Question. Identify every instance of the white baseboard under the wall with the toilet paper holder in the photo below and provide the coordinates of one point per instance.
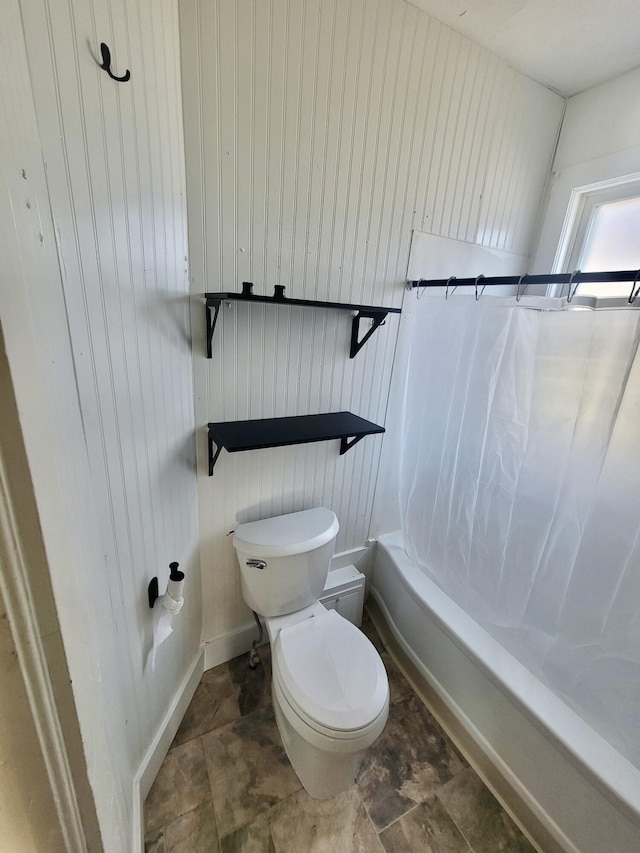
(155, 754)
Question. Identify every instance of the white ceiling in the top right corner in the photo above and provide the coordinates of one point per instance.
(567, 45)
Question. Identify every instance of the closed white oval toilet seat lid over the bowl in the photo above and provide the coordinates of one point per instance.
(331, 675)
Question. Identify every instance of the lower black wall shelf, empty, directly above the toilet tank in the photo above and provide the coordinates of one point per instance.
(235, 436)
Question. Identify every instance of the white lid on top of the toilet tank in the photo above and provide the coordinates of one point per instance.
(286, 535)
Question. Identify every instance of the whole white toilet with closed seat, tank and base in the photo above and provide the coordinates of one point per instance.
(329, 686)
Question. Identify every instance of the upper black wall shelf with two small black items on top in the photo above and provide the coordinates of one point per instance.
(370, 312)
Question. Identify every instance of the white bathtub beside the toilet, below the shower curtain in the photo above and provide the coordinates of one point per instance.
(563, 783)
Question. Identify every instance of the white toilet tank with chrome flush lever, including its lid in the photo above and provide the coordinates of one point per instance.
(284, 560)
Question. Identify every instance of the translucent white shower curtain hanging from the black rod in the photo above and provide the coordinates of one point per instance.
(520, 488)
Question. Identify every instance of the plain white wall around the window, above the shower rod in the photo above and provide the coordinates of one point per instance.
(599, 142)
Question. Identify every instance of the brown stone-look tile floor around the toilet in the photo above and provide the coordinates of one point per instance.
(226, 785)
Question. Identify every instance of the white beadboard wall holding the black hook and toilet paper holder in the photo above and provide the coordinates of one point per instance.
(94, 309)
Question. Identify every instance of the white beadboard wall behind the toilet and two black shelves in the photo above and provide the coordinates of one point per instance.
(319, 133)
